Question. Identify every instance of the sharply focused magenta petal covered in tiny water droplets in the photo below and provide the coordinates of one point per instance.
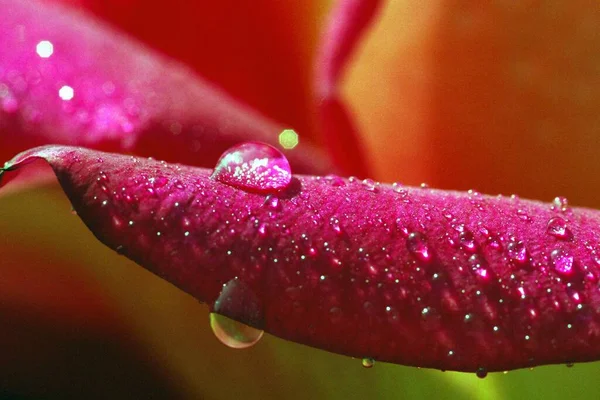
(416, 276)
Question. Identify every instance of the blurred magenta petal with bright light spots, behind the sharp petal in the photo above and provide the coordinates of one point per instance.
(66, 78)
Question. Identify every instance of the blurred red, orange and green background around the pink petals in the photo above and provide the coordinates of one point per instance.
(500, 97)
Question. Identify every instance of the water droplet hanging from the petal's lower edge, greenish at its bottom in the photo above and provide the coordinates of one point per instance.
(237, 302)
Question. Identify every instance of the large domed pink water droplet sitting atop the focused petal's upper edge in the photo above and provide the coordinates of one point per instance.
(255, 167)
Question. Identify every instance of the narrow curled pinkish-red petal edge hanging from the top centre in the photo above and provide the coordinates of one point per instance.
(347, 22)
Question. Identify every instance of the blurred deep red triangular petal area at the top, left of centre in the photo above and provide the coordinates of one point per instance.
(261, 51)
